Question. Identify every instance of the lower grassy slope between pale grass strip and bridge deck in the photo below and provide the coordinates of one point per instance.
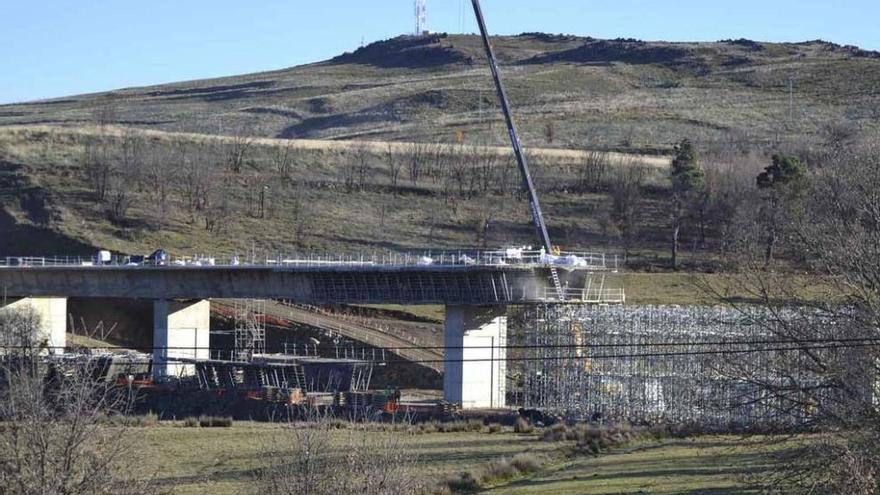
(314, 205)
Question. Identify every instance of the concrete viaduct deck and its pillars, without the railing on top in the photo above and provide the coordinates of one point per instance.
(475, 298)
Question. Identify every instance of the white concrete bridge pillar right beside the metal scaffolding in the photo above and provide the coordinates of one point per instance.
(475, 369)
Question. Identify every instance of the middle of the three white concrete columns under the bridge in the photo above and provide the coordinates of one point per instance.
(181, 329)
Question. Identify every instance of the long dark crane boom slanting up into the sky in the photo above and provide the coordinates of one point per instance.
(528, 185)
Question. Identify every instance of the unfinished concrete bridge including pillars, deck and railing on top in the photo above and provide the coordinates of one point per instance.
(475, 288)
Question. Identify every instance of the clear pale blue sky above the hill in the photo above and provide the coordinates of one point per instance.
(53, 48)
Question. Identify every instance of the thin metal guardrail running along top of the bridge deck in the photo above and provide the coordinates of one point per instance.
(562, 259)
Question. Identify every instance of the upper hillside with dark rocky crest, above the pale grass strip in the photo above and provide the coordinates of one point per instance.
(567, 92)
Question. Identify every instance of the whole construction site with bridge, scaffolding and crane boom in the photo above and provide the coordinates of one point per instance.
(572, 348)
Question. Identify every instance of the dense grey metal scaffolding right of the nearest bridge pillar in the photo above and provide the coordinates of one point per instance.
(715, 367)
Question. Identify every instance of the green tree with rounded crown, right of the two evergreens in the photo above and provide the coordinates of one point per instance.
(782, 183)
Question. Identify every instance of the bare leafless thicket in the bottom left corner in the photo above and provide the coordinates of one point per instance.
(54, 437)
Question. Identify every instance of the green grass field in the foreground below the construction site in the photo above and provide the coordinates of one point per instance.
(221, 460)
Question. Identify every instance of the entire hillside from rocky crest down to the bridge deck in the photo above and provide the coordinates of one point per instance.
(399, 145)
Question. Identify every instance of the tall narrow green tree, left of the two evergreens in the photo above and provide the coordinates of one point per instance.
(688, 182)
